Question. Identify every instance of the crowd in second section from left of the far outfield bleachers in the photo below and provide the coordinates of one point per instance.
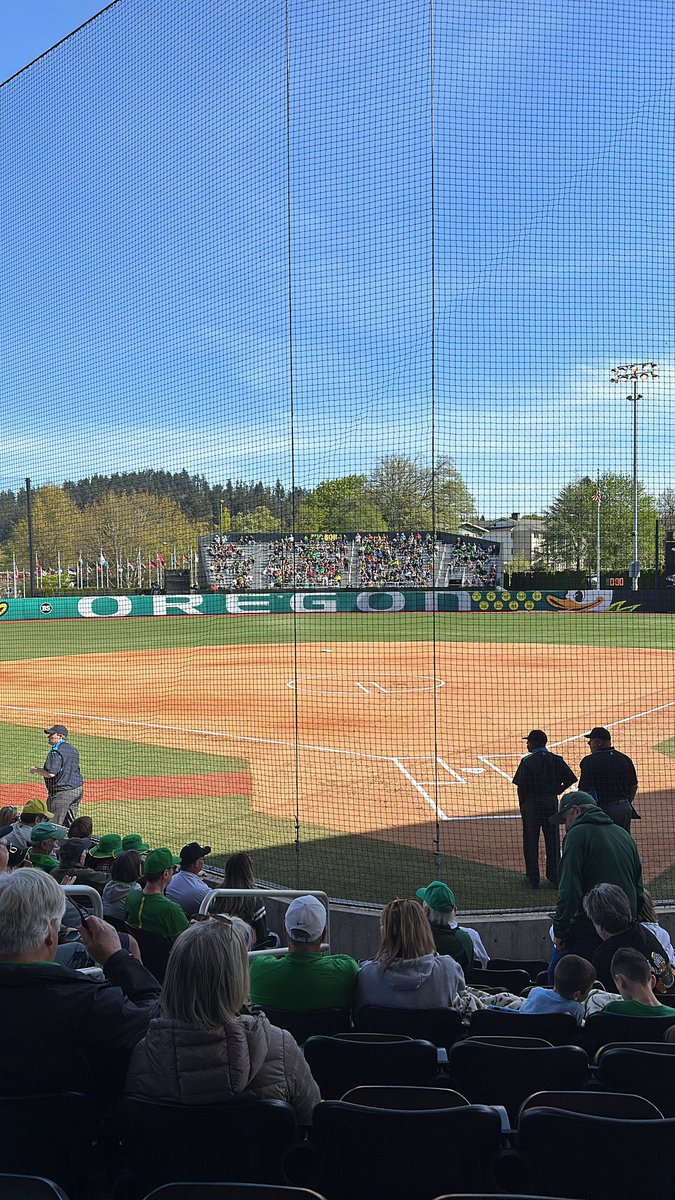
(309, 561)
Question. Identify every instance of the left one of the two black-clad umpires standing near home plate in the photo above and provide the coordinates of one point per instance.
(541, 778)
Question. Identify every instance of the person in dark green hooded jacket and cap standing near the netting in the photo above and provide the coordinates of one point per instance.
(596, 851)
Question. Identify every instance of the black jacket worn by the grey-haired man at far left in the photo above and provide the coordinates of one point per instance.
(68, 1033)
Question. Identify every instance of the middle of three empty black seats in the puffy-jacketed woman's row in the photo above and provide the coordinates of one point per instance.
(507, 1076)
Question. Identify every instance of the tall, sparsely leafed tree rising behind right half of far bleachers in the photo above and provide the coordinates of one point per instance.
(415, 497)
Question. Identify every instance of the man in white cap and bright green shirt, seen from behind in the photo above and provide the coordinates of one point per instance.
(304, 979)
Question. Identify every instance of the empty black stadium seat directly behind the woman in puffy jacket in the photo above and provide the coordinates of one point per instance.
(166, 1143)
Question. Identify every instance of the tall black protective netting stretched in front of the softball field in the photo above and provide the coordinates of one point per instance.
(308, 316)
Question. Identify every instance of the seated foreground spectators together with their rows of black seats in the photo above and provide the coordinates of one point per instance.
(147, 986)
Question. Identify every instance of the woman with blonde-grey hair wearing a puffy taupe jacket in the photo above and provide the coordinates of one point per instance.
(206, 1047)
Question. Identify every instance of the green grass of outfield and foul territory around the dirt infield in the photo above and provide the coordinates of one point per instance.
(345, 866)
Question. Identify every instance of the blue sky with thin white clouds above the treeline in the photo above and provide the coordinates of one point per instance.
(144, 232)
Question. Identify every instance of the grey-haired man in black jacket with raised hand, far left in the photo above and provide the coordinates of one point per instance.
(94, 1025)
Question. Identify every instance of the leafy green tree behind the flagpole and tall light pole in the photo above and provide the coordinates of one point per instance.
(572, 525)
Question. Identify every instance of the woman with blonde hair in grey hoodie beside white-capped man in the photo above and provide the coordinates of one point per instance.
(407, 971)
